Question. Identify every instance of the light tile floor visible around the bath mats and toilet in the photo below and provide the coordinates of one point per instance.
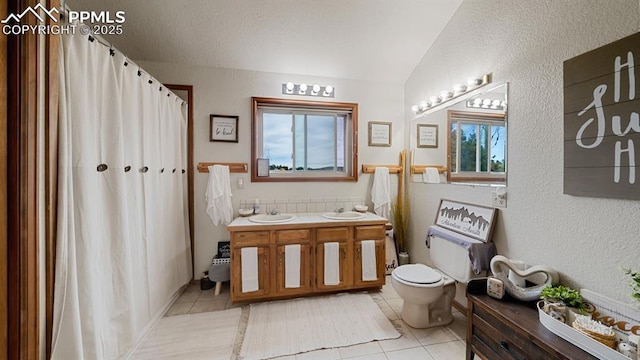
(442, 343)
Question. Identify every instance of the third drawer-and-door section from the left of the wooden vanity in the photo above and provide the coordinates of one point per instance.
(341, 235)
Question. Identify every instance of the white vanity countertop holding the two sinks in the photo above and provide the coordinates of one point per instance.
(242, 223)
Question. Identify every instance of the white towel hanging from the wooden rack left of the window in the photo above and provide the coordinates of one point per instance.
(218, 195)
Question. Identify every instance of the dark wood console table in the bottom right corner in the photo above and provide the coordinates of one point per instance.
(510, 329)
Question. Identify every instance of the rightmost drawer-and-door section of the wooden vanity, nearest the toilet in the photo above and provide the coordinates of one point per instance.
(376, 233)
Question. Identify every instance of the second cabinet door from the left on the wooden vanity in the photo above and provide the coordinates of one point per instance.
(303, 271)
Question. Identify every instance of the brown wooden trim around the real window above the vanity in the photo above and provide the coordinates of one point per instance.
(303, 104)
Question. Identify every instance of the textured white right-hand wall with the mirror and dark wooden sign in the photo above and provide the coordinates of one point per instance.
(525, 43)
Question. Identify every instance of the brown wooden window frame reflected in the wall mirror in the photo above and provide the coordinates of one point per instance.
(477, 118)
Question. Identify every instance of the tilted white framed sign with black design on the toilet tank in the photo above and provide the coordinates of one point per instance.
(474, 221)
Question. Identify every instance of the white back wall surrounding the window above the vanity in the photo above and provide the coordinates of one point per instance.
(229, 92)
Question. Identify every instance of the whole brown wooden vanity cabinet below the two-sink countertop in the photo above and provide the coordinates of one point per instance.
(271, 242)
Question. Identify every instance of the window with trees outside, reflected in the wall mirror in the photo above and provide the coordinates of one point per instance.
(477, 147)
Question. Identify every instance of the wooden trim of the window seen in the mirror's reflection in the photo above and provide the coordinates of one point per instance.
(477, 117)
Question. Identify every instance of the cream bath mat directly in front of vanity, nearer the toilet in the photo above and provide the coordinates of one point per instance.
(287, 327)
